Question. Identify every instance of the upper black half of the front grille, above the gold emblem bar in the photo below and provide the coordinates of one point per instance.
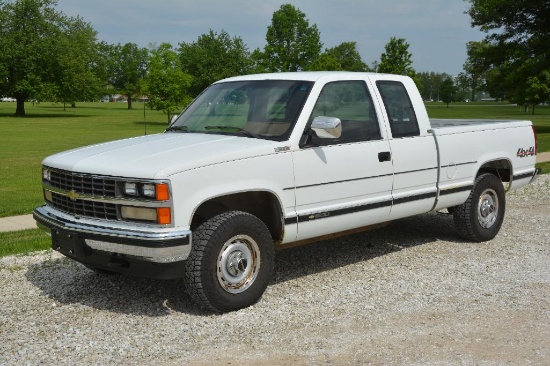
(83, 183)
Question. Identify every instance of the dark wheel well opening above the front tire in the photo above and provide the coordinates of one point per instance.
(263, 205)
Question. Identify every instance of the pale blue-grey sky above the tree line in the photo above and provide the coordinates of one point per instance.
(436, 30)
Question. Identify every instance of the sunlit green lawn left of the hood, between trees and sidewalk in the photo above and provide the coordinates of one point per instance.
(48, 129)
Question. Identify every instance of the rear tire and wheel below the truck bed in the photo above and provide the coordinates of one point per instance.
(480, 217)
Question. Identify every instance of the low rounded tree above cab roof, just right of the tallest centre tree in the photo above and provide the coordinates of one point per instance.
(343, 57)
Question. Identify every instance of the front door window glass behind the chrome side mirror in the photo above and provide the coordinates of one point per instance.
(351, 103)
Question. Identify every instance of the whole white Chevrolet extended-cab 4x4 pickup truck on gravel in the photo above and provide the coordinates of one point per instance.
(263, 162)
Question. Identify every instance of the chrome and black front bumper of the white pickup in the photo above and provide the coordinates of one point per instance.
(148, 252)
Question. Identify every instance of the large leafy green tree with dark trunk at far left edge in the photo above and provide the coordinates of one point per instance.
(33, 37)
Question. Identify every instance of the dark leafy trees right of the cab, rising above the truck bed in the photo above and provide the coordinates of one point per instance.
(512, 62)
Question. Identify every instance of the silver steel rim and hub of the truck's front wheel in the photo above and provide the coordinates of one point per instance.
(238, 264)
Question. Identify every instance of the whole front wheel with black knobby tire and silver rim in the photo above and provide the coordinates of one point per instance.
(231, 262)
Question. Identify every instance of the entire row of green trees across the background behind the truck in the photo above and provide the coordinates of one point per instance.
(48, 56)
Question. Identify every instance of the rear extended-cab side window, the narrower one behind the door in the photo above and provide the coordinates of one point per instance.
(399, 108)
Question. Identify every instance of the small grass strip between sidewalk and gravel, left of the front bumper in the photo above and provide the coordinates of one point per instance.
(24, 241)
